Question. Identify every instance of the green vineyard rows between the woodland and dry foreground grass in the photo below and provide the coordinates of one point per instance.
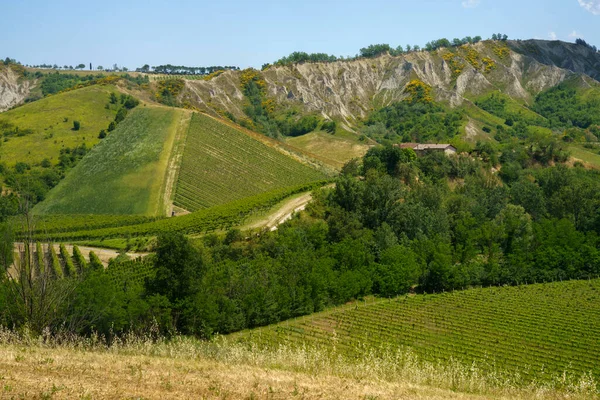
(536, 331)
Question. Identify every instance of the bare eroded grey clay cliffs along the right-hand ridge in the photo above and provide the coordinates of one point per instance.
(349, 90)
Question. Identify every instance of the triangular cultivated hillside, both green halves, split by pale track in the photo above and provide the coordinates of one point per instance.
(162, 156)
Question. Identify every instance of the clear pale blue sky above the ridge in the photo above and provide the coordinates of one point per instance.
(249, 33)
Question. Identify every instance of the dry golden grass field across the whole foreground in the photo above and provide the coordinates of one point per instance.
(188, 369)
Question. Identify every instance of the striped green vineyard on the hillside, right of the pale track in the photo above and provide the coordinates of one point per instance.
(221, 164)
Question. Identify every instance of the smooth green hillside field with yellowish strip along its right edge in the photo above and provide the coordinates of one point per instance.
(125, 173)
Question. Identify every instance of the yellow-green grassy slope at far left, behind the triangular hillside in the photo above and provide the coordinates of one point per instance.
(51, 122)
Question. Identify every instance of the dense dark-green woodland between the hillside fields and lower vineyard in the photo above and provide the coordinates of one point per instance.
(394, 223)
